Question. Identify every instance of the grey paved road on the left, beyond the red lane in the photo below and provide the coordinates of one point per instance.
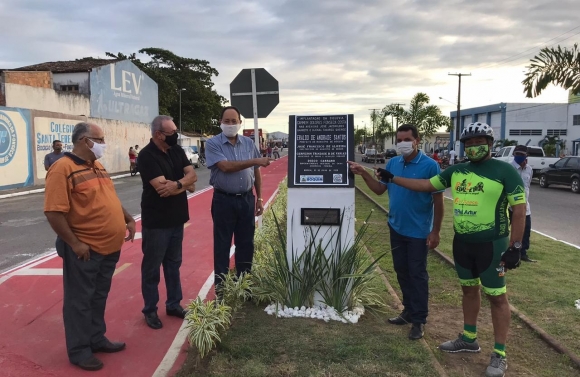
(25, 233)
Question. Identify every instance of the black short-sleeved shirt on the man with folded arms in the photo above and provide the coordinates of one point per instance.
(158, 212)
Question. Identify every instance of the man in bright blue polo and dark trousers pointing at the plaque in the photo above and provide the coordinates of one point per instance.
(412, 228)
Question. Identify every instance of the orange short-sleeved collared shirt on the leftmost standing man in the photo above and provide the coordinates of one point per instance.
(84, 192)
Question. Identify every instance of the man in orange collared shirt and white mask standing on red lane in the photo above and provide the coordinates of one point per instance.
(83, 209)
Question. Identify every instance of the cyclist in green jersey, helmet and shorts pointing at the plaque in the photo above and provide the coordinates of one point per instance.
(483, 247)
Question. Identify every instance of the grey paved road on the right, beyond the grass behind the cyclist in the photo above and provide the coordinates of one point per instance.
(555, 210)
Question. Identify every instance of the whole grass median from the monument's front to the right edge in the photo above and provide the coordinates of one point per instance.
(261, 345)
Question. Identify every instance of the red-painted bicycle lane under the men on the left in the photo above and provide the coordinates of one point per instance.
(31, 327)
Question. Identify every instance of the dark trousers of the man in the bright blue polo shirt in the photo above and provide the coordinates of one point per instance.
(410, 264)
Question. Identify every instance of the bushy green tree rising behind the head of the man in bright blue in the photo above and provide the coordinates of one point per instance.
(427, 118)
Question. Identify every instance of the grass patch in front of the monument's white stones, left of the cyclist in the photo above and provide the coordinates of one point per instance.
(262, 345)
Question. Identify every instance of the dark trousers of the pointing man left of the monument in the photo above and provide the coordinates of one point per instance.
(232, 216)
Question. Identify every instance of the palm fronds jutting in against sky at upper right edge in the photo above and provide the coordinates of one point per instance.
(553, 66)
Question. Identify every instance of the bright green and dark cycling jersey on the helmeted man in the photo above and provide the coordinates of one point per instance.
(481, 192)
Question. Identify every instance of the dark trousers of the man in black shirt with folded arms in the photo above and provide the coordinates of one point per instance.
(161, 247)
